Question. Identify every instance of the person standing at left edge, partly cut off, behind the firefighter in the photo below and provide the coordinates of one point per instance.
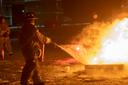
(5, 42)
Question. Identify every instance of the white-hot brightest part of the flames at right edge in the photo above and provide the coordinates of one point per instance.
(114, 47)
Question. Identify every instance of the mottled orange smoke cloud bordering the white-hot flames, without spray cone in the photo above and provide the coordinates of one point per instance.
(91, 37)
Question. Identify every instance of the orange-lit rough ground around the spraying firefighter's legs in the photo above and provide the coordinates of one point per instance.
(59, 68)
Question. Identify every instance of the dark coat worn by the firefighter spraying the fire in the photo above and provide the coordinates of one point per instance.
(32, 42)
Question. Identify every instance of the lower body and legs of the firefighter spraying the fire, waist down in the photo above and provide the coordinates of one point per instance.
(32, 68)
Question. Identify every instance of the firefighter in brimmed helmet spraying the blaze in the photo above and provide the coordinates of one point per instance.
(32, 44)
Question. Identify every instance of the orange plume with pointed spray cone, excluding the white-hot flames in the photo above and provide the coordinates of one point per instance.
(88, 43)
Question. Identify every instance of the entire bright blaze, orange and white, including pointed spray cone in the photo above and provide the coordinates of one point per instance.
(101, 43)
